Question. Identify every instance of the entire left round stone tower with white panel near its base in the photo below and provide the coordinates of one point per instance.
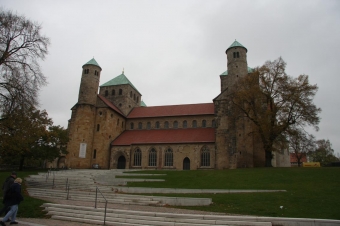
(82, 123)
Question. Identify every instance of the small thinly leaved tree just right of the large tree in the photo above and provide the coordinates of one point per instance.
(300, 143)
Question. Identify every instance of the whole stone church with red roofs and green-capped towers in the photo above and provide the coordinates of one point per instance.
(115, 129)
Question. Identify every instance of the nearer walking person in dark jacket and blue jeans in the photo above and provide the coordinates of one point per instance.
(12, 199)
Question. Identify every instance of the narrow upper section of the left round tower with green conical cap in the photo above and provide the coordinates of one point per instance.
(89, 83)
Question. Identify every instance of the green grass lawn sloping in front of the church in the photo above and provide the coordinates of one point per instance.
(311, 192)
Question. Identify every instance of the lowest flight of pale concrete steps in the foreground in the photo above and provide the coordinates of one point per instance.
(128, 217)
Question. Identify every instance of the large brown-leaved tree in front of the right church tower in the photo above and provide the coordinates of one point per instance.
(275, 101)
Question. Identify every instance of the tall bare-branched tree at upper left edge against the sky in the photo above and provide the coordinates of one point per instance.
(21, 46)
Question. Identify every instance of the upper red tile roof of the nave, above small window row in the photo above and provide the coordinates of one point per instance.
(172, 110)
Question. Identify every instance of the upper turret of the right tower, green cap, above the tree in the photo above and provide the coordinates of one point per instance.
(237, 65)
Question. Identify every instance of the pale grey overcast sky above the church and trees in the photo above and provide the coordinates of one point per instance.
(174, 51)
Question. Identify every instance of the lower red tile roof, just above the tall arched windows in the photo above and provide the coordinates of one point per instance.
(192, 135)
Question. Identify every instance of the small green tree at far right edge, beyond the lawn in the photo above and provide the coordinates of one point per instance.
(323, 153)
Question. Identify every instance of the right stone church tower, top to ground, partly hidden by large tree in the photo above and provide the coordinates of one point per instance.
(234, 147)
